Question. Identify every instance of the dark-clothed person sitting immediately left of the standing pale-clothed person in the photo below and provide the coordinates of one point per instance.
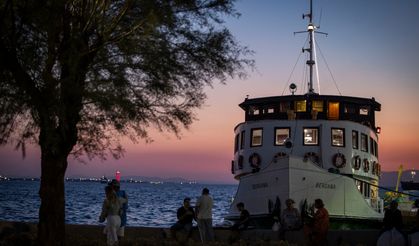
(185, 216)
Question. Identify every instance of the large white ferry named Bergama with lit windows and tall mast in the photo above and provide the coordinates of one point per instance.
(306, 147)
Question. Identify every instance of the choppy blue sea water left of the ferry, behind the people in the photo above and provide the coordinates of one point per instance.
(152, 205)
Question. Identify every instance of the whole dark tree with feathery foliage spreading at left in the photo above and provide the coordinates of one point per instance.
(77, 75)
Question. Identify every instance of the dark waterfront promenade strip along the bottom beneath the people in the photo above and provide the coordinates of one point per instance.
(18, 233)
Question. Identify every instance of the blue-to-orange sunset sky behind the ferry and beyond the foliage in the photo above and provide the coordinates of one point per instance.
(372, 51)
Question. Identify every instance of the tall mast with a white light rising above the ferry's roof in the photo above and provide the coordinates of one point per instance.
(311, 61)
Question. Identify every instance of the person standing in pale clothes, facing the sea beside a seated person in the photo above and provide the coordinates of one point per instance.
(203, 211)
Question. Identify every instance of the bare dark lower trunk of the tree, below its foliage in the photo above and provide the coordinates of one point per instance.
(51, 227)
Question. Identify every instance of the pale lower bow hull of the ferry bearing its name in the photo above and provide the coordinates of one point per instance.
(303, 181)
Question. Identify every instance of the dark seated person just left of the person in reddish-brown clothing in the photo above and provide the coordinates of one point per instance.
(290, 219)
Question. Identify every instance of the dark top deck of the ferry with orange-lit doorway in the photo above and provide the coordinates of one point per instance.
(312, 106)
